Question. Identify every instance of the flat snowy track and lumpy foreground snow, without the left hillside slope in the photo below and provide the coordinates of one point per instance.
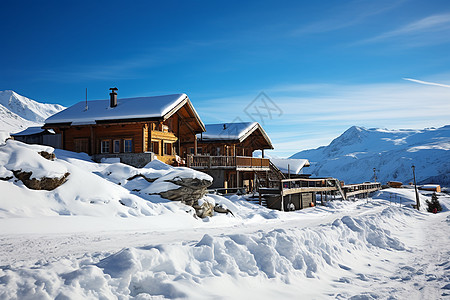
(368, 249)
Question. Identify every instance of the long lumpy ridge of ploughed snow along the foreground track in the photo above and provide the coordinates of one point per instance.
(279, 257)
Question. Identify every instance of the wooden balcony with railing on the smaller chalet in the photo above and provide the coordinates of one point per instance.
(239, 163)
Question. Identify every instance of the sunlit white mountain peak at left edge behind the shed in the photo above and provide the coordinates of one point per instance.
(18, 112)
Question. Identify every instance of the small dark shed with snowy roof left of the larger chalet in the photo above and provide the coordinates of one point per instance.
(38, 135)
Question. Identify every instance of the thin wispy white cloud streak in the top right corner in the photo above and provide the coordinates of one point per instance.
(432, 29)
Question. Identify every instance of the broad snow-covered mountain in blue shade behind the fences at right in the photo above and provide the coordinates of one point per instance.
(353, 155)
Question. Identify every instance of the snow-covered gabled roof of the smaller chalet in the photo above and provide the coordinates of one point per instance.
(237, 131)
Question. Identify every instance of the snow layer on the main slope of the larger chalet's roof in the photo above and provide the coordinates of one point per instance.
(127, 108)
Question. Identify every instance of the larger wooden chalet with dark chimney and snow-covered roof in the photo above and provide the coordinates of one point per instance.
(132, 129)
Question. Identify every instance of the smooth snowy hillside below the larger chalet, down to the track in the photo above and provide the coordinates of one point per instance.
(86, 192)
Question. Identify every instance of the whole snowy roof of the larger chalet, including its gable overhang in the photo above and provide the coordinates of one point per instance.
(127, 110)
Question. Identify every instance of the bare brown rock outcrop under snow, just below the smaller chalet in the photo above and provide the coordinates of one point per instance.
(191, 189)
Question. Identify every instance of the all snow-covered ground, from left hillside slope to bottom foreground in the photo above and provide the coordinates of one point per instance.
(103, 235)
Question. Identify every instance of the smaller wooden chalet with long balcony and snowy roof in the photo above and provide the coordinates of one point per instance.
(225, 151)
